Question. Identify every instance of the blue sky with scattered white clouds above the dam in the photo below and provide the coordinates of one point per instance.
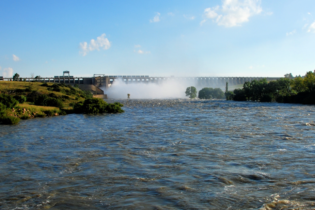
(242, 38)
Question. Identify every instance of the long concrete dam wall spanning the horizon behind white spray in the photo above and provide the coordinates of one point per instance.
(102, 80)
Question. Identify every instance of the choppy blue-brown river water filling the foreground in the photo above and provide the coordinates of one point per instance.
(163, 154)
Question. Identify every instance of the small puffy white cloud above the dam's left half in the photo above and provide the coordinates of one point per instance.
(100, 43)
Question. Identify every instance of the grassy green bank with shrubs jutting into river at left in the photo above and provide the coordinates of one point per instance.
(25, 100)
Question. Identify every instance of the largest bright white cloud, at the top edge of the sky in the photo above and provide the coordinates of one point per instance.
(233, 12)
